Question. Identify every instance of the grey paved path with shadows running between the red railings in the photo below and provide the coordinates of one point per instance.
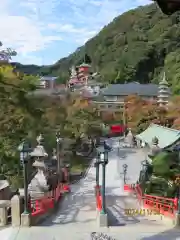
(76, 217)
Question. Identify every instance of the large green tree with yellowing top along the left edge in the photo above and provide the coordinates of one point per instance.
(17, 115)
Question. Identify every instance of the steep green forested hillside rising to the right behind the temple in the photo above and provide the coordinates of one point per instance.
(136, 46)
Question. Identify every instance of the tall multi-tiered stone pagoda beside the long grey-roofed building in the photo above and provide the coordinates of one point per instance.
(164, 92)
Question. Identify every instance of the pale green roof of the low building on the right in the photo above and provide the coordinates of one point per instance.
(166, 136)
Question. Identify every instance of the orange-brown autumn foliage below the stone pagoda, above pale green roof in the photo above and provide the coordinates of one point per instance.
(141, 113)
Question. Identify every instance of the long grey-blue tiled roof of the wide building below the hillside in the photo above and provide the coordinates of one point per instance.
(131, 88)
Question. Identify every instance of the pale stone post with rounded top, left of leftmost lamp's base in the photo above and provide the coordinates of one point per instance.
(16, 211)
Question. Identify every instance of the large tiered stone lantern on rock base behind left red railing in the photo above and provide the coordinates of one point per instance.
(39, 184)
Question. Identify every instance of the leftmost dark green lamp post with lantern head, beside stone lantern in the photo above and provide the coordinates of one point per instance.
(24, 149)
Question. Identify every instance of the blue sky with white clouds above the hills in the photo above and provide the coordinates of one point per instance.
(43, 31)
